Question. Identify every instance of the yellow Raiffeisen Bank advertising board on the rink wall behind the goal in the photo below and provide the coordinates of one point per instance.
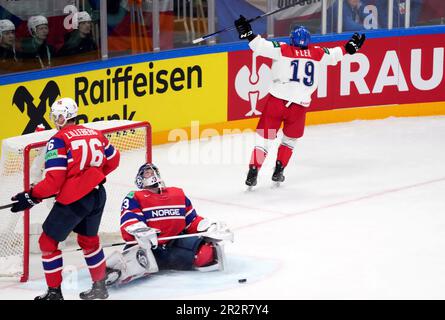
(168, 93)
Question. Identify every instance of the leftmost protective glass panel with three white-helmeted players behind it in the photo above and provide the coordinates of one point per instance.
(40, 34)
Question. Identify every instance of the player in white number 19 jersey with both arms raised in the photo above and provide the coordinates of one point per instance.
(296, 71)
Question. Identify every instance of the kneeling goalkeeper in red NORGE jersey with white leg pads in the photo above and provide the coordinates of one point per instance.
(156, 210)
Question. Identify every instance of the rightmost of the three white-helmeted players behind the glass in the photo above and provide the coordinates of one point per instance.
(80, 39)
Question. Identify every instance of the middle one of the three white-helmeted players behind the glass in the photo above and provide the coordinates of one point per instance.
(36, 47)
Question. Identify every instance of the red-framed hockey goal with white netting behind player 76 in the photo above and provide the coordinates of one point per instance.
(21, 164)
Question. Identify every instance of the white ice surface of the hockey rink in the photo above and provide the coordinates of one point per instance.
(361, 215)
